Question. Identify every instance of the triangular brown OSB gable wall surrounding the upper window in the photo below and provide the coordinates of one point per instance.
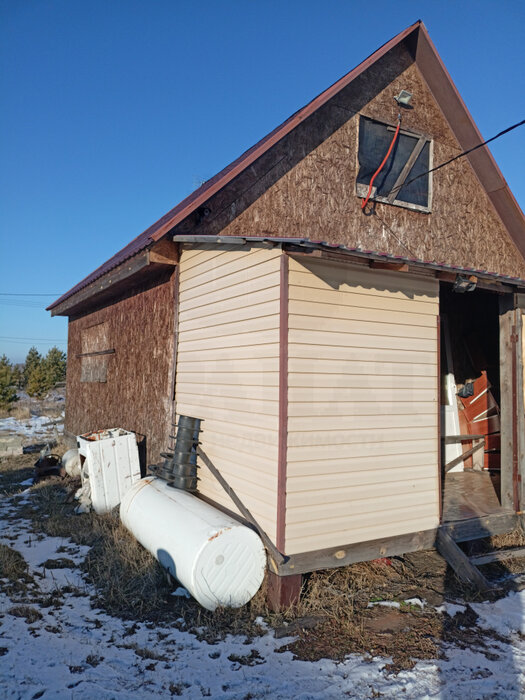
(316, 199)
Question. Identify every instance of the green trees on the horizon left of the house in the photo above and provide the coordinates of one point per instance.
(36, 376)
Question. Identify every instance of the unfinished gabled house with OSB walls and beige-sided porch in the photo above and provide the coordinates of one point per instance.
(323, 338)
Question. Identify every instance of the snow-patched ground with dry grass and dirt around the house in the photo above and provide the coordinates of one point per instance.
(85, 612)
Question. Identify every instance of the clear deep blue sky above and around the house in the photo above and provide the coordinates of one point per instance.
(114, 110)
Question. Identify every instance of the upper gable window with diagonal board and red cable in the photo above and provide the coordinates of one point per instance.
(395, 183)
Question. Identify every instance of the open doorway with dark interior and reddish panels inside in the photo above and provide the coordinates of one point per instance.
(470, 400)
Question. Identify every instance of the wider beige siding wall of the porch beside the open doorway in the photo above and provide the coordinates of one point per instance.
(362, 456)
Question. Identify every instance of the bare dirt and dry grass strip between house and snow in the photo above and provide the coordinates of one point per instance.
(388, 607)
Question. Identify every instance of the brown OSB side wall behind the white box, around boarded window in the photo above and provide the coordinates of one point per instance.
(136, 393)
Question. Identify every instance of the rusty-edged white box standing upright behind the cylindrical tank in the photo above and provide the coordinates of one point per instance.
(110, 463)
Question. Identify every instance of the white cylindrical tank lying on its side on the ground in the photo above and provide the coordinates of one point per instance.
(217, 559)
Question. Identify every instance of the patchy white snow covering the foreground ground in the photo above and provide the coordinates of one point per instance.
(77, 651)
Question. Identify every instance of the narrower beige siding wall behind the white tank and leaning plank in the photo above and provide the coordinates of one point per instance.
(228, 369)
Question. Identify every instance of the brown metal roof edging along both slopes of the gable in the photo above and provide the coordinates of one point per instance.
(446, 94)
